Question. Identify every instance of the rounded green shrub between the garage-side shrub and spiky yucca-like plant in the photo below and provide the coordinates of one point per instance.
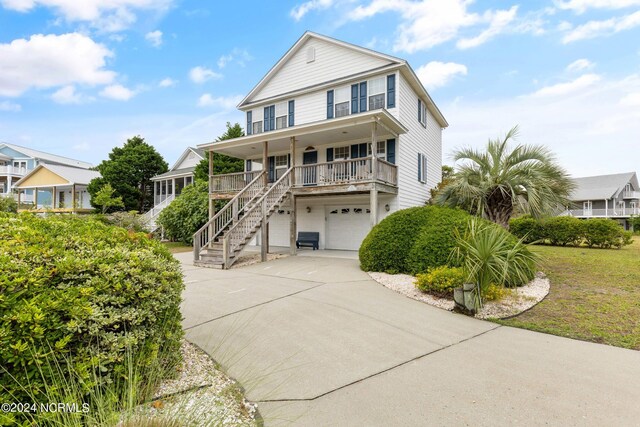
(436, 239)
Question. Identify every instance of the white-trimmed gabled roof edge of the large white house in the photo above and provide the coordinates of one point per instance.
(404, 66)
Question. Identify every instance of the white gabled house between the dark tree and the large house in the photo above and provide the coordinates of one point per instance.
(170, 184)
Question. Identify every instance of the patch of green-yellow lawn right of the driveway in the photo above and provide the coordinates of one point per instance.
(595, 295)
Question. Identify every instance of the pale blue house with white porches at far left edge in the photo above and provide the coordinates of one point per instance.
(16, 161)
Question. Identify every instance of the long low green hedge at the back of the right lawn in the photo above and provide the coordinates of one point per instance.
(566, 230)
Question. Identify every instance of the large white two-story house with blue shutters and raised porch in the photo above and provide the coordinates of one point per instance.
(337, 137)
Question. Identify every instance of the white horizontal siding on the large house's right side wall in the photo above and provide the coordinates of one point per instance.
(411, 192)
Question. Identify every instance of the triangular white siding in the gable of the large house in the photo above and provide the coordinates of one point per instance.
(331, 62)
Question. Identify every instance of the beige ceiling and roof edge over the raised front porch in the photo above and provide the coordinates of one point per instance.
(349, 128)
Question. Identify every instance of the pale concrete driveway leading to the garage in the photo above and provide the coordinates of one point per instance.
(316, 342)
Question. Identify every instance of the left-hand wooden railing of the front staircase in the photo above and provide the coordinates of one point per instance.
(225, 216)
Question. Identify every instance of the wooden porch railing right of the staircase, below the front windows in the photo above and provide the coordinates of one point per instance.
(346, 172)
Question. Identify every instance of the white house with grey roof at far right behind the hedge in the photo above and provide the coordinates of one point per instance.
(607, 196)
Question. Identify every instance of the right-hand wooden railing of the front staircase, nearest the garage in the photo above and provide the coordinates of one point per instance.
(238, 233)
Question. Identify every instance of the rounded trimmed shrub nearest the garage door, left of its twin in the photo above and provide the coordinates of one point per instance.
(387, 245)
